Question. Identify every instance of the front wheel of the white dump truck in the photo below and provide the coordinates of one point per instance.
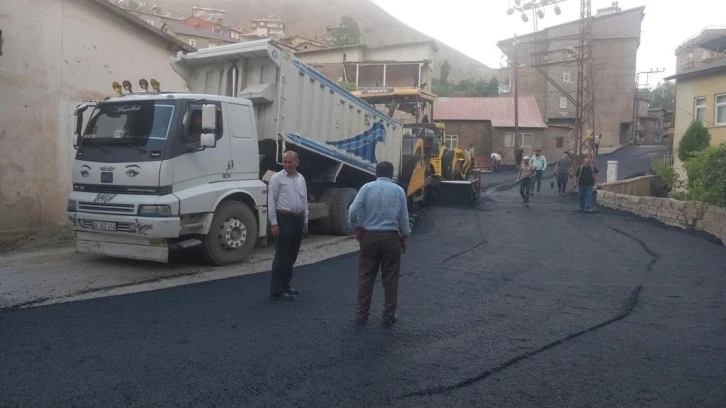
(232, 235)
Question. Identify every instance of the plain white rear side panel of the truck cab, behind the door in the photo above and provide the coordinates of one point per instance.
(245, 149)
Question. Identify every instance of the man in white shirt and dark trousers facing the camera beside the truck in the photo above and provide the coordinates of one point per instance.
(287, 206)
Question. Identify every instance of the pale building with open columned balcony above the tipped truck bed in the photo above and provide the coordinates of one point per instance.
(395, 65)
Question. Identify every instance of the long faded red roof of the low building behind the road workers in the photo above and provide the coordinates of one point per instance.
(498, 110)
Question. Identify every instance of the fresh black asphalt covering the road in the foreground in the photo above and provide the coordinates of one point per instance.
(500, 305)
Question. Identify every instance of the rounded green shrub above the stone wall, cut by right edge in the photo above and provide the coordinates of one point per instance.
(707, 175)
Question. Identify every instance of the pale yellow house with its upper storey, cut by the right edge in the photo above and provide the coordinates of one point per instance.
(700, 87)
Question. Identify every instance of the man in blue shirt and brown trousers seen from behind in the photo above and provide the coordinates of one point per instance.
(379, 215)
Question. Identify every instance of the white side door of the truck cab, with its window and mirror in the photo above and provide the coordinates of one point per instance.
(200, 167)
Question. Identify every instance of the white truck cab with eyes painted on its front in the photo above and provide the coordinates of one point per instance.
(157, 171)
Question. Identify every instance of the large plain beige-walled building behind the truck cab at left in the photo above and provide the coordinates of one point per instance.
(84, 46)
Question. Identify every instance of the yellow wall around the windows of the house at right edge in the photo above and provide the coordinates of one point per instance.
(686, 92)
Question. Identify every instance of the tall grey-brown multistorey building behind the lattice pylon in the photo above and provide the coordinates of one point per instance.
(615, 42)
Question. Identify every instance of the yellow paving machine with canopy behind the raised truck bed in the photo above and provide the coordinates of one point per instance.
(430, 169)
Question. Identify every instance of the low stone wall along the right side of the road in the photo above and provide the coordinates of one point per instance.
(683, 214)
